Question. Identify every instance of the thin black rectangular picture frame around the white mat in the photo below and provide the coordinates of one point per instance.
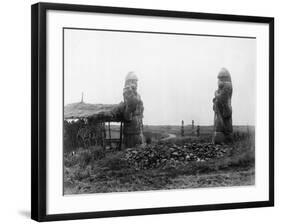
(38, 108)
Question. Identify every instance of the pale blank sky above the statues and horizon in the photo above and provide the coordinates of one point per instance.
(177, 73)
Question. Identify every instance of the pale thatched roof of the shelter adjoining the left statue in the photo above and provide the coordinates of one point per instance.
(83, 110)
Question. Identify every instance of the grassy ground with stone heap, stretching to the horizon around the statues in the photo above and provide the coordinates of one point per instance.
(176, 163)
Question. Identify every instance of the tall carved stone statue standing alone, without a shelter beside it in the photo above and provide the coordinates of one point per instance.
(222, 108)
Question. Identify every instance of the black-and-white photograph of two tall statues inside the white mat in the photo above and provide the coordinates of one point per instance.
(148, 111)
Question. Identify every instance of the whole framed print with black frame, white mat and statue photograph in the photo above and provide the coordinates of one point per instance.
(140, 111)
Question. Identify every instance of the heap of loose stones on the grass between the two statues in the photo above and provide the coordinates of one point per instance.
(161, 154)
